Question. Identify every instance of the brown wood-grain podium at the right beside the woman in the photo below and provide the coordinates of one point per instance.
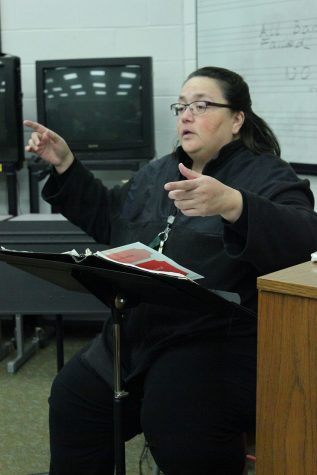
(286, 436)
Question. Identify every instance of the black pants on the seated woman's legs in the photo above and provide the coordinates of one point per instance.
(193, 405)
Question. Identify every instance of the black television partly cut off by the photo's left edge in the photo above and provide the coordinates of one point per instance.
(11, 127)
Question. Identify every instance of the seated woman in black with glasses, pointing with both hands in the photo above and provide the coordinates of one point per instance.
(234, 210)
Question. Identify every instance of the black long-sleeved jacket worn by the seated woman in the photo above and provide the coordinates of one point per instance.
(277, 229)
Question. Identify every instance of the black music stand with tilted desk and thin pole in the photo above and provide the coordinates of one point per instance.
(119, 287)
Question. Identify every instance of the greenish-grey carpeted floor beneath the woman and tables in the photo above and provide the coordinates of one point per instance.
(24, 446)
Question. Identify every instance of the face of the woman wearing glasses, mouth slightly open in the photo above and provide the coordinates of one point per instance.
(202, 136)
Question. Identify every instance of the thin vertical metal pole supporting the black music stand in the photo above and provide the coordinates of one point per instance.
(119, 394)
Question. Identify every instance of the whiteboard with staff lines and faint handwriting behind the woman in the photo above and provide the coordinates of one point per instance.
(273, 45)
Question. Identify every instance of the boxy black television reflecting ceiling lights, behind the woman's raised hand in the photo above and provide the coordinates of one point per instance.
(102, 107)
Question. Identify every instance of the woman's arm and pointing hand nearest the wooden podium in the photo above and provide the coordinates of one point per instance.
(273, 228)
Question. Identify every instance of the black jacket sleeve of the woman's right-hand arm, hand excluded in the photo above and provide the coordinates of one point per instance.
(276, 232)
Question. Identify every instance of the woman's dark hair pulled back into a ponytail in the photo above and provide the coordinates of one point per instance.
(255, 132)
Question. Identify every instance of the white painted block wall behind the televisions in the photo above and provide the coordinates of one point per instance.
(52, 29)
